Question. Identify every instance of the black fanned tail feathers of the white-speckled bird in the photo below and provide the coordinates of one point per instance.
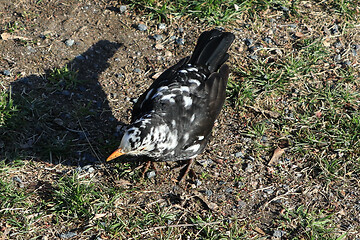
(211, 49)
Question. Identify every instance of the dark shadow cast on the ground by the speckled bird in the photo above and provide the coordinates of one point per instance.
(63, 116)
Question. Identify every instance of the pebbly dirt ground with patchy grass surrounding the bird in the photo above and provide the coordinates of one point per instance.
(283, 161)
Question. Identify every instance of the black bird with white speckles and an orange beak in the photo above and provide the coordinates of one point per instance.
(173, 119)
